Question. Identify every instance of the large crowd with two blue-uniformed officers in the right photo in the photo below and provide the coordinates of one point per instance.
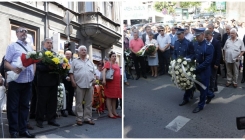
(212, 43)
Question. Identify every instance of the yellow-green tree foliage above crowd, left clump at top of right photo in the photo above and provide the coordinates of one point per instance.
(159, 6)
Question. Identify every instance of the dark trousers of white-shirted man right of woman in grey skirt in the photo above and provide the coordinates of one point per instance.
(164, 61)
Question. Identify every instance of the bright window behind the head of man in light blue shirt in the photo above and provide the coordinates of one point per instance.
(31, 36)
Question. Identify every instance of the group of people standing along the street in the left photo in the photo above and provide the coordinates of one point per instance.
(33, 95)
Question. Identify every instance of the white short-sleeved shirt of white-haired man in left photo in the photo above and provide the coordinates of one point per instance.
(83, 72)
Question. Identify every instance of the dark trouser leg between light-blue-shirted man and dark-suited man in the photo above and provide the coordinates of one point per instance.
(33, 100)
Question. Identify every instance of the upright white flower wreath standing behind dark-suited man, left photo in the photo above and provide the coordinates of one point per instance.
(61, 97)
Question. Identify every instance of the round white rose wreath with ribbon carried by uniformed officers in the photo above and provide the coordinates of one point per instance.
(182, 71)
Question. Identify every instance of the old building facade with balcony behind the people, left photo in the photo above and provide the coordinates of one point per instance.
(94, 24)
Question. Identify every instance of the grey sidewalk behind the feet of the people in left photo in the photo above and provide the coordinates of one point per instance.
(63, 121)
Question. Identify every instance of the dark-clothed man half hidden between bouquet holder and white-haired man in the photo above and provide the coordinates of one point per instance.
(68, 86)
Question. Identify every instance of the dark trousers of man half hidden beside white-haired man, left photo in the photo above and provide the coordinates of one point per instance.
(69, 95)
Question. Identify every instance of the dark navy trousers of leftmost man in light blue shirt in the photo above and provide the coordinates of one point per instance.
(18, 106)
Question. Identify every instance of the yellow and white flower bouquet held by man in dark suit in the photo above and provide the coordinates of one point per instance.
(58, 62)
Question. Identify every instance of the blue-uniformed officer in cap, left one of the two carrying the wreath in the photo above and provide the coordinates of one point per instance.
(183, 48)
